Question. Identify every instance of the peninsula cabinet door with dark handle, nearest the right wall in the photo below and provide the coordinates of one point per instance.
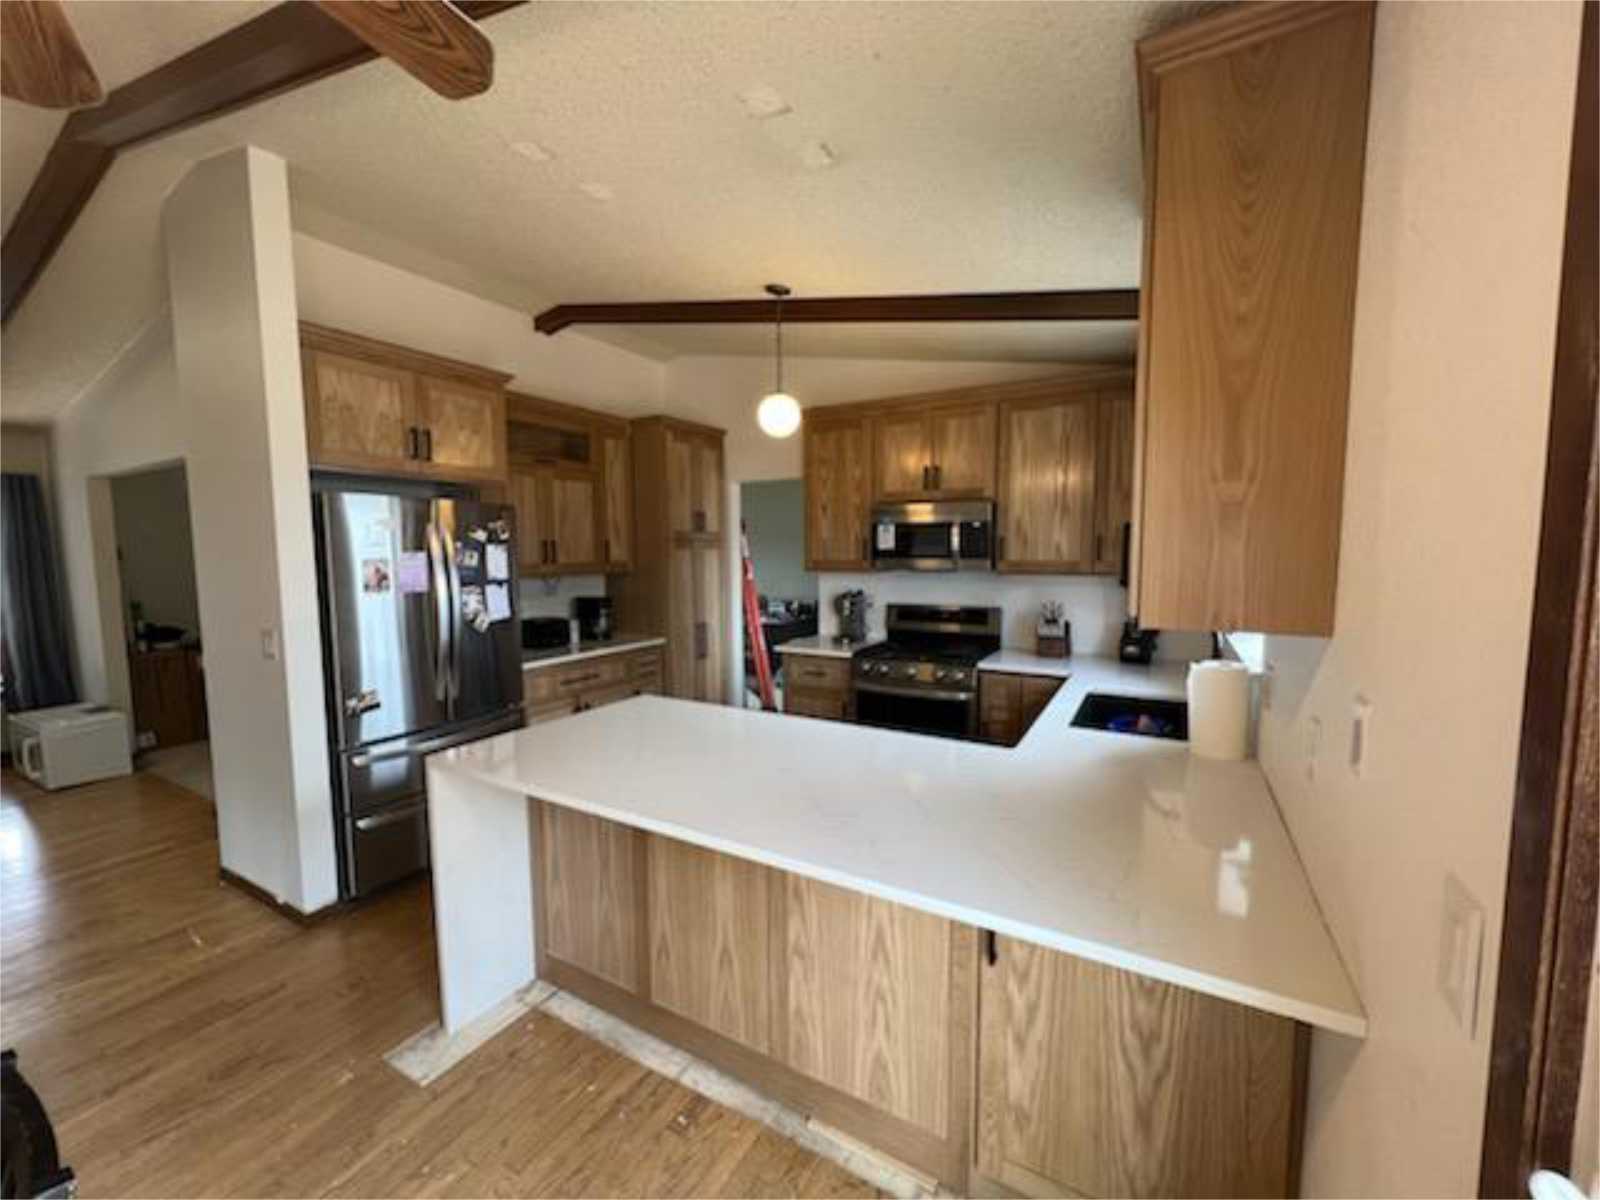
(1098, 1082)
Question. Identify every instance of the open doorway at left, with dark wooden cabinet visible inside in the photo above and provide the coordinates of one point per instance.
(161, 610)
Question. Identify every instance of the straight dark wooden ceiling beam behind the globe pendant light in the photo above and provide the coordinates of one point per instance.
(983, 306)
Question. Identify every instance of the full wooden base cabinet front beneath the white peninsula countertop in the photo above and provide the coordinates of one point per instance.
(991, 1065)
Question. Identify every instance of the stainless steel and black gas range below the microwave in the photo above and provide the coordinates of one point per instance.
(924, 678)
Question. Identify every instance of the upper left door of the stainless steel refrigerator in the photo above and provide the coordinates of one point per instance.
(383, 622)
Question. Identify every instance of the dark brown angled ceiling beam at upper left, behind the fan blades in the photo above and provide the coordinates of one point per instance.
(284, 49)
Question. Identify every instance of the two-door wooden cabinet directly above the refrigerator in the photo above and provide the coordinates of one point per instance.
(385, 409)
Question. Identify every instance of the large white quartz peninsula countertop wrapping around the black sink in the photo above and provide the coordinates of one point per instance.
(1118, 849)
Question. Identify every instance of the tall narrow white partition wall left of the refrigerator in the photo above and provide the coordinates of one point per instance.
(231, 278)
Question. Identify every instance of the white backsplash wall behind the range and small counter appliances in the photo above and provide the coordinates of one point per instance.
(1097, 607)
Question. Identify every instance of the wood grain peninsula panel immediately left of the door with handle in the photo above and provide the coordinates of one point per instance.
(870, 999)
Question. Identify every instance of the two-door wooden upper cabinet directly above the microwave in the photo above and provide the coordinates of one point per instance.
(935, 452)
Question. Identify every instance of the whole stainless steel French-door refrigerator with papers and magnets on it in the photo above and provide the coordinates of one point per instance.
(422, 652)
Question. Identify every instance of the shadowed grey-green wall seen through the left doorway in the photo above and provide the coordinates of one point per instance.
(156, 546)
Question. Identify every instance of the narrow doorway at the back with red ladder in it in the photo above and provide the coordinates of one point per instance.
(774, 513)
